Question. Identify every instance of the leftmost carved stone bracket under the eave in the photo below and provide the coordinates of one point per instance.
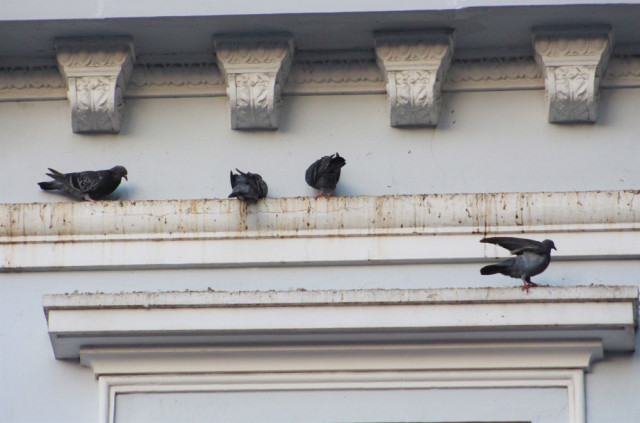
(96, 71)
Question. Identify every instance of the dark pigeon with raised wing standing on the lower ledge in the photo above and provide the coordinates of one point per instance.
(532, 258)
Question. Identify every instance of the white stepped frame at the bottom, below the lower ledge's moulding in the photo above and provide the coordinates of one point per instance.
(571, 380)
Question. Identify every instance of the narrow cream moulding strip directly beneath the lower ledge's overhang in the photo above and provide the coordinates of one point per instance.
(346, 358)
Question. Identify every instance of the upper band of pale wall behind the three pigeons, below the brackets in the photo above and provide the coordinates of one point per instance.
(184, 149)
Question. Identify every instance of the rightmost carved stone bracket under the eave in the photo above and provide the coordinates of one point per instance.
(573, 62)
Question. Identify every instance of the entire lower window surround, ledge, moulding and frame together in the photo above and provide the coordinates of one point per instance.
(182, 342)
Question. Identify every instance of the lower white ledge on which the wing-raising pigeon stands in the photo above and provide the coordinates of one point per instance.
(607, 315)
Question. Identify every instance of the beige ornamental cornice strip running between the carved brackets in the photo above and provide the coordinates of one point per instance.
(312, 73)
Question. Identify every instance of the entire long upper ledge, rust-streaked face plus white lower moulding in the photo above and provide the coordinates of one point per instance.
(293, 231)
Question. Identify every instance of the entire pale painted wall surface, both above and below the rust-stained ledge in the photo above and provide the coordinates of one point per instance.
(183, 148)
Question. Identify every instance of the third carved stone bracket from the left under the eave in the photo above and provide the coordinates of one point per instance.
(415, 66)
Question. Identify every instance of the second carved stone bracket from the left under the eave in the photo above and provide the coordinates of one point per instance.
(255, 68)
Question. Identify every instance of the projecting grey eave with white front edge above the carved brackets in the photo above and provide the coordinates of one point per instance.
(186, 27)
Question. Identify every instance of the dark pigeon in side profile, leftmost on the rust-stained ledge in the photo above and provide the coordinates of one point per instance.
(88, 185)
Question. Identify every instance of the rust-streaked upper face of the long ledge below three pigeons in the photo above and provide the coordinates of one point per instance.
(281, 217)
